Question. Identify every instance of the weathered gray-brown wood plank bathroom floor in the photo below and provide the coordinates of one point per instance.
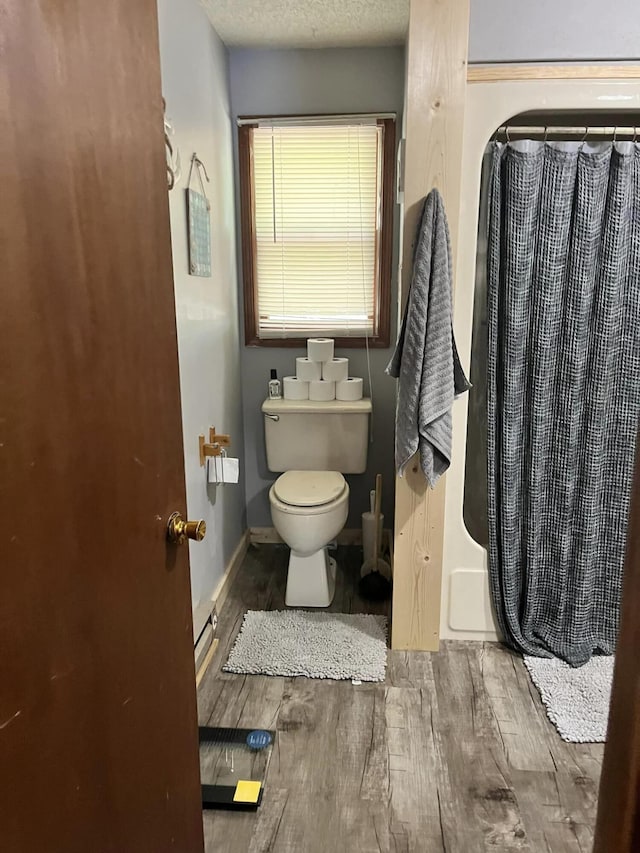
(452, 754)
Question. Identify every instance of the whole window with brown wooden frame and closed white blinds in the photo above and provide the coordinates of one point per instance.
(317, 228)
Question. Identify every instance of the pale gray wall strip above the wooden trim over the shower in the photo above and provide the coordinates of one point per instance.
(553, 30)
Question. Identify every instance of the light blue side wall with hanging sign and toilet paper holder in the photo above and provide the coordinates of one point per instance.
(195, 84)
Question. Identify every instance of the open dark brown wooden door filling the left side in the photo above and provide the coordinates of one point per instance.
(98, 736)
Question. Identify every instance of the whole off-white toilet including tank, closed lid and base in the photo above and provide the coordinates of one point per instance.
(314, 444)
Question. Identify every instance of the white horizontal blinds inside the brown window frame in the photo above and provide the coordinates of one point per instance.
(317, 208)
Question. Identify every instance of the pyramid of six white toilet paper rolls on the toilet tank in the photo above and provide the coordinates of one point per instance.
(322, 377)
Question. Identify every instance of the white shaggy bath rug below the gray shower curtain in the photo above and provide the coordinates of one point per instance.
(577, 699)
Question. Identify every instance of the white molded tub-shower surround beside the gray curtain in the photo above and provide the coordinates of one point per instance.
(466, 610)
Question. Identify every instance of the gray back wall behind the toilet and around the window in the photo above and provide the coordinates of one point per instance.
(267, 82)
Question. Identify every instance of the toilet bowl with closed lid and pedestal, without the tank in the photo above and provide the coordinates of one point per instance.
(308, 510)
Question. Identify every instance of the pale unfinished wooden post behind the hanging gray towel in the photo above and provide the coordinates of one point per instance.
(434, 115)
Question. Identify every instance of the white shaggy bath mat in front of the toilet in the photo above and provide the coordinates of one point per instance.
(318, 645)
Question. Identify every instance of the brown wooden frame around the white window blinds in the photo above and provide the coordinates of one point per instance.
(382, 295)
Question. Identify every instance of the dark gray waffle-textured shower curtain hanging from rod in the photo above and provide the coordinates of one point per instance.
(563, 394)
